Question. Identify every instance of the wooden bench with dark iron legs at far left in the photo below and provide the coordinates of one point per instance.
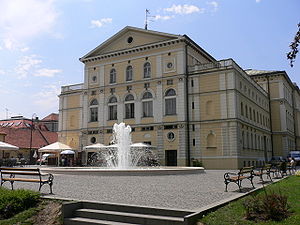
(12, 174)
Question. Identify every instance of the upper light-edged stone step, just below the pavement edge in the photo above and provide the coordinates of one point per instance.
(127, 217)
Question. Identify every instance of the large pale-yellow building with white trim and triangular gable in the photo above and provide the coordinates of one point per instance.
(176, 97)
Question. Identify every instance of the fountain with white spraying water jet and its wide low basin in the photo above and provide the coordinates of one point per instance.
(123, 158)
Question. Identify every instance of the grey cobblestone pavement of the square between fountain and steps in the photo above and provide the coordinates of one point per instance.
(167, 191)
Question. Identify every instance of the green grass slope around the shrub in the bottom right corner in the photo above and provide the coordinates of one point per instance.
(234, 213)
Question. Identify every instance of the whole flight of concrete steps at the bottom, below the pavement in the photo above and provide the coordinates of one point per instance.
(90, 213)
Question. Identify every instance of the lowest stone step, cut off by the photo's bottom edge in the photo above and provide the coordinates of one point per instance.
(87, 221)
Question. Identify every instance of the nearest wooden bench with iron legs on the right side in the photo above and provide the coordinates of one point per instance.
(237, 178)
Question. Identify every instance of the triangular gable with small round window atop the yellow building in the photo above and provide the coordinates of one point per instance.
(122, 40)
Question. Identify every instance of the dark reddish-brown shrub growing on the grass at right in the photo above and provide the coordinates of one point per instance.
(271, 206)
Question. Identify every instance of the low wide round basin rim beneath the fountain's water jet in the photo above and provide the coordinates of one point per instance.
(138, 171)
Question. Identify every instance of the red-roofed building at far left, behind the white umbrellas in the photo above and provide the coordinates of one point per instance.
(29, 135)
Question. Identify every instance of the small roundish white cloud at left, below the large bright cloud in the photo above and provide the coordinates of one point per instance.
(27, 64)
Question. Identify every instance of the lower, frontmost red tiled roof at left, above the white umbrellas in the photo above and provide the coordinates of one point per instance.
(21, 137)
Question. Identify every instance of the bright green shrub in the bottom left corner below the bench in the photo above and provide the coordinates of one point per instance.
(13, 202)
